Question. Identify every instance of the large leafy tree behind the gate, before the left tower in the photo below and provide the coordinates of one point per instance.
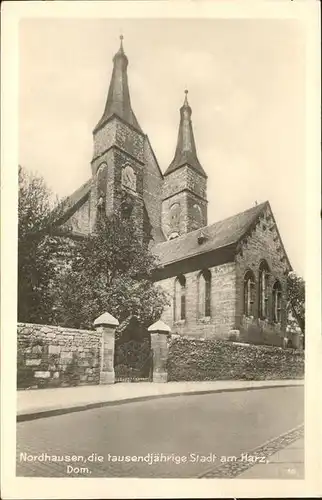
(111, 270)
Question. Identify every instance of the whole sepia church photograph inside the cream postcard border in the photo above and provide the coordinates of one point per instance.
(162, 266)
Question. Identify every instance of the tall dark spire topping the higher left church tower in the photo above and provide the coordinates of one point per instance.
(118, 99)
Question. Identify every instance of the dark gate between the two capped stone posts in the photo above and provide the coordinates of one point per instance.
(133, 361)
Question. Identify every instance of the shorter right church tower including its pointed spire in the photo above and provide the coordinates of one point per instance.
(184, 204)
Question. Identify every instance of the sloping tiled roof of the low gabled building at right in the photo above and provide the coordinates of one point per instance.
(218, 235)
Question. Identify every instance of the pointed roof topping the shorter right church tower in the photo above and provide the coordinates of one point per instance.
(186, 152)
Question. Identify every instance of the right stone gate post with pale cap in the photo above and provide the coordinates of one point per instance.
(159, 332)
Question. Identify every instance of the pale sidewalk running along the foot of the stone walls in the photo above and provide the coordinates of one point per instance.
(38, 403)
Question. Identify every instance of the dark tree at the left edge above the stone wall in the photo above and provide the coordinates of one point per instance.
(37, 246)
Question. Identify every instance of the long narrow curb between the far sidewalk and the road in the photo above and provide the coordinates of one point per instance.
(23, 417)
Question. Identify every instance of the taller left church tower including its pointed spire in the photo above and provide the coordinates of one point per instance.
(118, 158)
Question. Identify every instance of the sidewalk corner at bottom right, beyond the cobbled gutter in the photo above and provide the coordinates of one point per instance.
(287, 463)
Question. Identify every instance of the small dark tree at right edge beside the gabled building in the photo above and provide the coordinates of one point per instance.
(296, 298)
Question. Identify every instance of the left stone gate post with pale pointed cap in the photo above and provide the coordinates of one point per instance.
(106, 325)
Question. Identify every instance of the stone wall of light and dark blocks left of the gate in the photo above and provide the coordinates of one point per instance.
(53, 356)
